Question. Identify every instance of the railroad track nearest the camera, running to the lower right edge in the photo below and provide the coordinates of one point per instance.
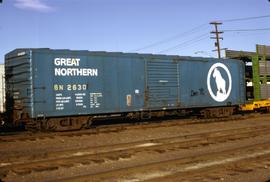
(170, 169)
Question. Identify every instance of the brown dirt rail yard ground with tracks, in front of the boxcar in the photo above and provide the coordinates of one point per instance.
(235, 150)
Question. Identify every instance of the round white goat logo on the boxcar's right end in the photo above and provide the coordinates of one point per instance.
(219, 88)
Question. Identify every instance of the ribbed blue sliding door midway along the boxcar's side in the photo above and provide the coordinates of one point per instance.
(162, 84)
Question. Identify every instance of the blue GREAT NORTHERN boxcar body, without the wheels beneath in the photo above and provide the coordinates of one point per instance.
(52, 83)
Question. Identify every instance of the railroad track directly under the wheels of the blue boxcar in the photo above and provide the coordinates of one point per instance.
(98, 129)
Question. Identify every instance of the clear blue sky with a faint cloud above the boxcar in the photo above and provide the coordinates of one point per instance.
(172, 27)
